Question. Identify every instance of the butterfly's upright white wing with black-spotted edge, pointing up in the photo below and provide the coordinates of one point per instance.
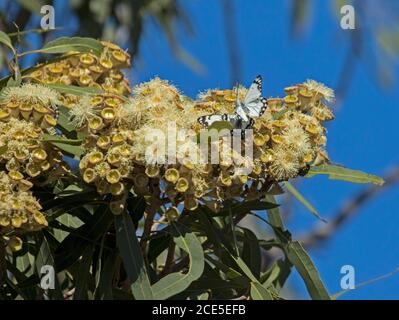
(254, 104)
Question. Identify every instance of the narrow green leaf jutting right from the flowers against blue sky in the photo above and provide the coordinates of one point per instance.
(341, 173)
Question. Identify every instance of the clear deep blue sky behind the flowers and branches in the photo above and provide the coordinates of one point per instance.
(363, 136)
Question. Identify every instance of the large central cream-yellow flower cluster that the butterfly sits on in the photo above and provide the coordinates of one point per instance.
(288, 138)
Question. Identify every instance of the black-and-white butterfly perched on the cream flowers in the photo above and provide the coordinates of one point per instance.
(253, 106)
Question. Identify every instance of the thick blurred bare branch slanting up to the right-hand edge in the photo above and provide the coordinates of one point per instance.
(320, 235)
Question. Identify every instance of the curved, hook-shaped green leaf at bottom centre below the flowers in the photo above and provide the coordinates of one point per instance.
(177, 282)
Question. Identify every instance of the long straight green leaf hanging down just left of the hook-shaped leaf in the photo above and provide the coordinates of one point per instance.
(132, 258)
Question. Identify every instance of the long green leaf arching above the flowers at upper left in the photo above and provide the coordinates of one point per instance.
(68, 44)
